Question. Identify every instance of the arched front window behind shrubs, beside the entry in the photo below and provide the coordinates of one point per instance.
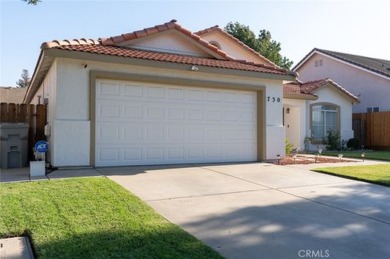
(324, 117)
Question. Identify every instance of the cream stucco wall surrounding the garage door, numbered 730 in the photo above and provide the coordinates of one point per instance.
(69, 102)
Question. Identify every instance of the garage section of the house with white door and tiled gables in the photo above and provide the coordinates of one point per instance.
(161, 95)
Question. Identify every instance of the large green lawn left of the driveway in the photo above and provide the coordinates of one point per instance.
(91, 218)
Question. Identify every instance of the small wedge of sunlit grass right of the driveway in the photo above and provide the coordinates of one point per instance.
(379, 174)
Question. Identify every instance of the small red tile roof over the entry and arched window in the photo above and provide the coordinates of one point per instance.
(308, 88)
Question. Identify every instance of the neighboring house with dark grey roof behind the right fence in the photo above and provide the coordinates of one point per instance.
(367, 78)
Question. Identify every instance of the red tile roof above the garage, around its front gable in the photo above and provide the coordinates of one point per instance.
(112, 46)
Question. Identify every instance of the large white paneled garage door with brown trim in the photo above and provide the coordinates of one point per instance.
(144, 124)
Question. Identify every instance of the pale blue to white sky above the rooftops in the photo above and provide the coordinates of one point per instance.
(355, 27)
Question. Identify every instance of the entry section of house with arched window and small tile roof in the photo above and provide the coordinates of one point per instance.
(313, 108)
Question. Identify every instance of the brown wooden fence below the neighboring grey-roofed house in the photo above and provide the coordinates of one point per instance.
(373, 129)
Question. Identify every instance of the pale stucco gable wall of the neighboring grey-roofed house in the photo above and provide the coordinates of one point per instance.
(372, 90)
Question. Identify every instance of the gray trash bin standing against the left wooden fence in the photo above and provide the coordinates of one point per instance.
(13, 145)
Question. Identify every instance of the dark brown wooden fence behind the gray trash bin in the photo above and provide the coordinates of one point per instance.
(33, 115)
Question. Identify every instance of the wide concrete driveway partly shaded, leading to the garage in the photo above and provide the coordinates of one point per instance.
(267, 211)
